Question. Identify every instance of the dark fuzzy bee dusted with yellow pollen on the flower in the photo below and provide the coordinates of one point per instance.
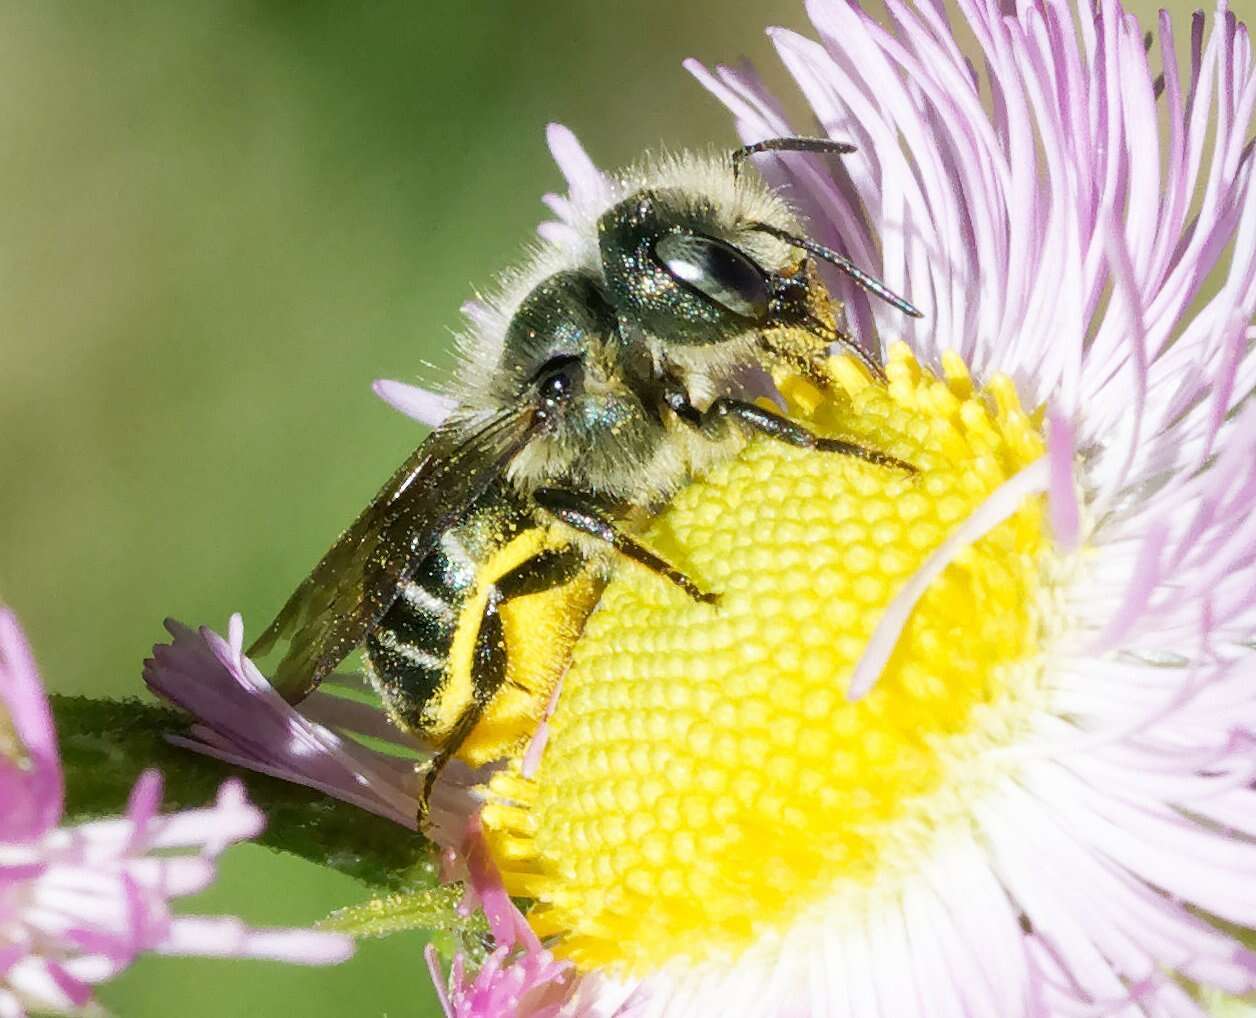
(604, 380)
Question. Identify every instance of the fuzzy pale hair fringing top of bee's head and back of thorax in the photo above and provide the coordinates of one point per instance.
(704, 181)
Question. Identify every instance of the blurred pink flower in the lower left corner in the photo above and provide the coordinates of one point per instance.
(78, 904)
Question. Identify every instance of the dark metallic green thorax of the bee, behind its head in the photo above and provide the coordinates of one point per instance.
(565, 361)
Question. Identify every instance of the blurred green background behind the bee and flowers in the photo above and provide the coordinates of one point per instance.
(223, 222)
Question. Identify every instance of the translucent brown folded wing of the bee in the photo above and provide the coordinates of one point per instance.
(357, 582)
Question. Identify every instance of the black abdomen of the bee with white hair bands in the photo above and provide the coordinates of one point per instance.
(409, 652)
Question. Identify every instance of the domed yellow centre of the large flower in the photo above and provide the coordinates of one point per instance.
(706, 780)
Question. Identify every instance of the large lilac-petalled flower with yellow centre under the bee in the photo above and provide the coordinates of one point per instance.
(946, 746)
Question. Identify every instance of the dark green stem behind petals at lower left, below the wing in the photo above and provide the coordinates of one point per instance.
(106, 745)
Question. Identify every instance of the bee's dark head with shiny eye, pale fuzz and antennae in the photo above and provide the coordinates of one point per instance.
(715, 265)
